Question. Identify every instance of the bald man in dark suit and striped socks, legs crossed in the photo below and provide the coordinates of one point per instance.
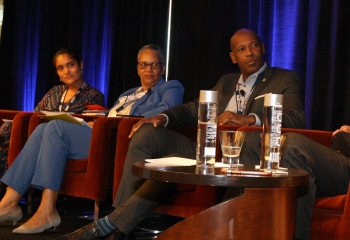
(237, 104)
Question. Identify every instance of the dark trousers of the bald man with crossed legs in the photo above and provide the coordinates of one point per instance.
(138, 197)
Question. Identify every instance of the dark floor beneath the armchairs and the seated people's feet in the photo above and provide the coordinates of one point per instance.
(76, 213)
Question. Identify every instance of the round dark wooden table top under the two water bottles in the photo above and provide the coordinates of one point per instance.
(194, 175)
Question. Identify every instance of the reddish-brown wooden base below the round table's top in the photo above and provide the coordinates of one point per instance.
(260, 213)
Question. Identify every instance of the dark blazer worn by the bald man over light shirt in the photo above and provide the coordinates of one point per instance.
(272, 80)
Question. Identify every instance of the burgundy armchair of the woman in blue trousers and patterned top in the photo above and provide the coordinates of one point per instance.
(87, 178)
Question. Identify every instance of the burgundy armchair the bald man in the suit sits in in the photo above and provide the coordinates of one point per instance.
(189, 199)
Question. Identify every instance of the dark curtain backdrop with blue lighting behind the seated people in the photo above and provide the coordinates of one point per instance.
(310, 37)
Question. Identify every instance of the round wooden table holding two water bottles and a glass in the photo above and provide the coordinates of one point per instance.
(265, 209)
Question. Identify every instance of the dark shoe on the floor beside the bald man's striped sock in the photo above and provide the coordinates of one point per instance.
(88, 232)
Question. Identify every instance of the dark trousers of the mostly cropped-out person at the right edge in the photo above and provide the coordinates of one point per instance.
(328, 171)
